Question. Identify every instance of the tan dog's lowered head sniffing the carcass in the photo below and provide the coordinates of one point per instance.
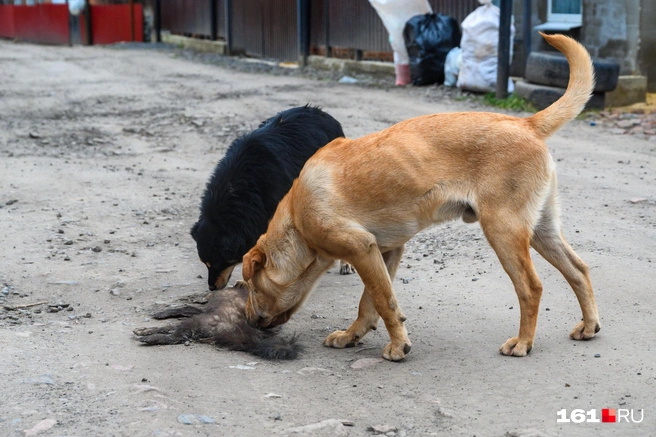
(280, 272)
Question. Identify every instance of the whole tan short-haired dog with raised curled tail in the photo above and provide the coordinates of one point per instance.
(362, 200)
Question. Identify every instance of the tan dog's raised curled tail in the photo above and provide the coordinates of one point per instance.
(579, 89)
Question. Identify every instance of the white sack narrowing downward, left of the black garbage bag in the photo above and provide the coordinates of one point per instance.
(394, 14)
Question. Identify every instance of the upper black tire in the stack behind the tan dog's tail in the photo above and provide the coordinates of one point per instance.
(552, 69)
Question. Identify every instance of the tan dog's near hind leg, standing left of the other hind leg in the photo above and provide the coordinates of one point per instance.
(510, 240)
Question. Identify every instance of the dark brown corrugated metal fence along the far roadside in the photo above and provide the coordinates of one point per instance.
(269, 28)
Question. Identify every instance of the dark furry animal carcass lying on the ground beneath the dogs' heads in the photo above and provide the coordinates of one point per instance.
(222, 322)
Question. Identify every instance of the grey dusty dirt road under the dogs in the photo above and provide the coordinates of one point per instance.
(103, 157)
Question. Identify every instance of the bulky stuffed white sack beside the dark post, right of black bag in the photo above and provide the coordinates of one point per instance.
(480, 42)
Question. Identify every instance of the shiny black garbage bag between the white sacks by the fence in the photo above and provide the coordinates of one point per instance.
(428, 38)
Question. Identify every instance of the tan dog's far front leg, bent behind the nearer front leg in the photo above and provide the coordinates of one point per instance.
(367, 314)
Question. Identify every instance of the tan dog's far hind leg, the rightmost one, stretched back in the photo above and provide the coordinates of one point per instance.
(549, 242)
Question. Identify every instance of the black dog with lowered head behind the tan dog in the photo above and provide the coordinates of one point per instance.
(254, 175)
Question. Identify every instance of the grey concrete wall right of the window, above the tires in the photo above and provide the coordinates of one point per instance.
(611, 29)
